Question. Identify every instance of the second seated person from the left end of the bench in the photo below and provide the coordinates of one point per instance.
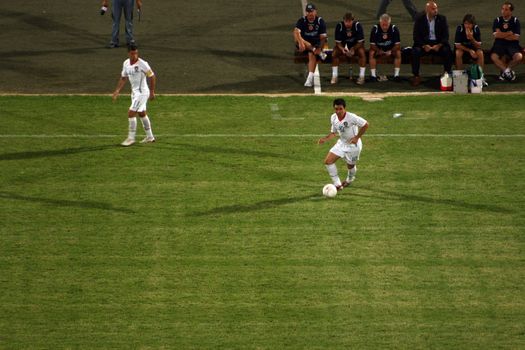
(349, 41)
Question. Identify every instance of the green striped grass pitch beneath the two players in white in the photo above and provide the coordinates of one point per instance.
(217, 236)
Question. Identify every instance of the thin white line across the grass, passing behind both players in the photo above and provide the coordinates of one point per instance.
(96, 136)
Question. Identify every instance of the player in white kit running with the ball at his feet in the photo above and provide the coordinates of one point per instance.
(350, 127)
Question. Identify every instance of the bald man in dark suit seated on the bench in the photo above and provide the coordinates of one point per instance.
(430, 38)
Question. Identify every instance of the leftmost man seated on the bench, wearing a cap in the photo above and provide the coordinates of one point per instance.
(310, 36)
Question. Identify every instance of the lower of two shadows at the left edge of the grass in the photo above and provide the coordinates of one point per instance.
(65, 203)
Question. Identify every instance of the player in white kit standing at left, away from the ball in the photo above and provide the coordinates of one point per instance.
(137, 71)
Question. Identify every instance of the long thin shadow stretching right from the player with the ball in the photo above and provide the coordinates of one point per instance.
(406, 197)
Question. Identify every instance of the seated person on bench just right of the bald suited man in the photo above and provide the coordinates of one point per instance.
(468, 42)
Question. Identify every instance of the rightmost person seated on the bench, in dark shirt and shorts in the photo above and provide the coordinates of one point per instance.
(507, 32)
